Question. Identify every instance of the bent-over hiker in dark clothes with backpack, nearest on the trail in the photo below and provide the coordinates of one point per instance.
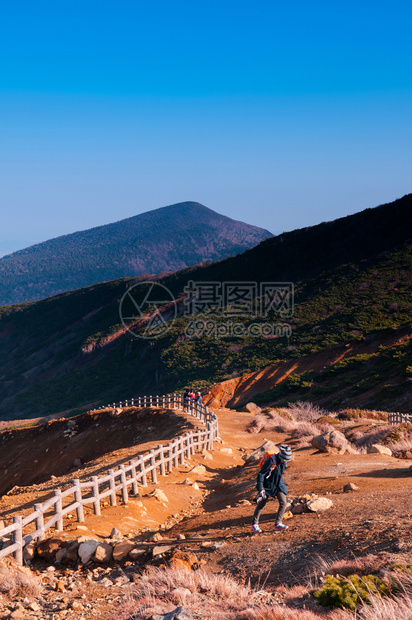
(270, 483)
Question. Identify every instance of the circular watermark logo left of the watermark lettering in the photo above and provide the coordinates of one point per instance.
(148, 309)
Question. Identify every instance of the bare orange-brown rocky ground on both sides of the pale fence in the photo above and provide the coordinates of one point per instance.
(205, 522)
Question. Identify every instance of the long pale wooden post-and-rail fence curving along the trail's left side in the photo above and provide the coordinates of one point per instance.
(160, 461)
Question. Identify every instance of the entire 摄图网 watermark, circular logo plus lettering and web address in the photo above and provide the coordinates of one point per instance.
(148, 309)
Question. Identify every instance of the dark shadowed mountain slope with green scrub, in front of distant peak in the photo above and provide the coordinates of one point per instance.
(352, 285)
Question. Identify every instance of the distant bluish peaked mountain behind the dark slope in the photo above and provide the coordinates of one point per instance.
(165, 239)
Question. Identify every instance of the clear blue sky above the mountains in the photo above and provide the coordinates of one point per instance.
(276, 113)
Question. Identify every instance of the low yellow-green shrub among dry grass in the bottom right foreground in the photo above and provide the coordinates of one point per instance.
(349, 591)
